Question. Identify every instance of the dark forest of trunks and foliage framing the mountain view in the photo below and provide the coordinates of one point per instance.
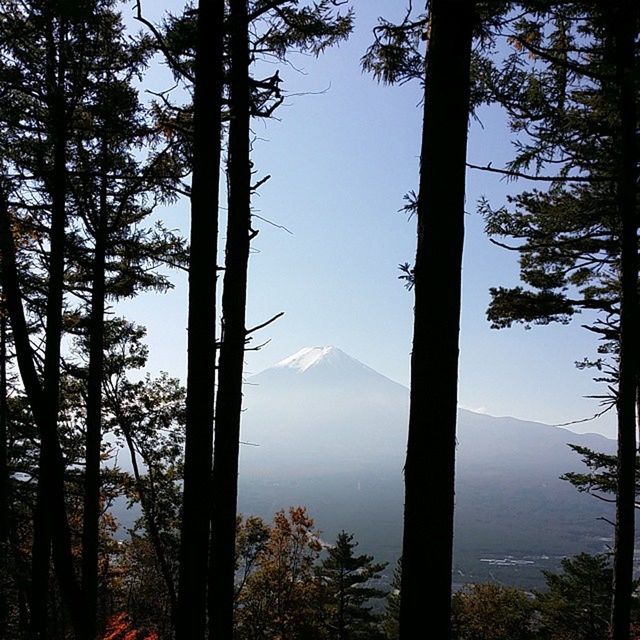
(91, 159)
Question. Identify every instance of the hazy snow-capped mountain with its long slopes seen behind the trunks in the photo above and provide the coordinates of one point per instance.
(322, 429)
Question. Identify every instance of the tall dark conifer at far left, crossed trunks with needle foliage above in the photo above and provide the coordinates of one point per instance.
(42, 80)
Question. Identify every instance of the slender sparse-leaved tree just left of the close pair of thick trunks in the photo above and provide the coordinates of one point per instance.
(147, 417)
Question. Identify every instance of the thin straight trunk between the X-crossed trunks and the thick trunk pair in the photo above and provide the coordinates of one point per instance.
(91, 517)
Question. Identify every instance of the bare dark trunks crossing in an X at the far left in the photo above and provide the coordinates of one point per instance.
(51, 530)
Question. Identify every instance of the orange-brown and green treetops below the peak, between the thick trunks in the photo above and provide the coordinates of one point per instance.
(283, 589)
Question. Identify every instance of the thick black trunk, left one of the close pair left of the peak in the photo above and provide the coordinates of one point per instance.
(194, 544)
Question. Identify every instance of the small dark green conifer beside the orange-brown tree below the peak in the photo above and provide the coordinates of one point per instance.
(348, 590)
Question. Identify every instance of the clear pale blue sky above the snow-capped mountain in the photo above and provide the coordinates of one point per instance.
(341, 159)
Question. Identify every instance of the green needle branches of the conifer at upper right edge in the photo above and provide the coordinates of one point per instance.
(558, 88)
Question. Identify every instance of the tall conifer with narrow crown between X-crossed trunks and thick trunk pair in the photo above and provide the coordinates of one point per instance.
(113, 190)
